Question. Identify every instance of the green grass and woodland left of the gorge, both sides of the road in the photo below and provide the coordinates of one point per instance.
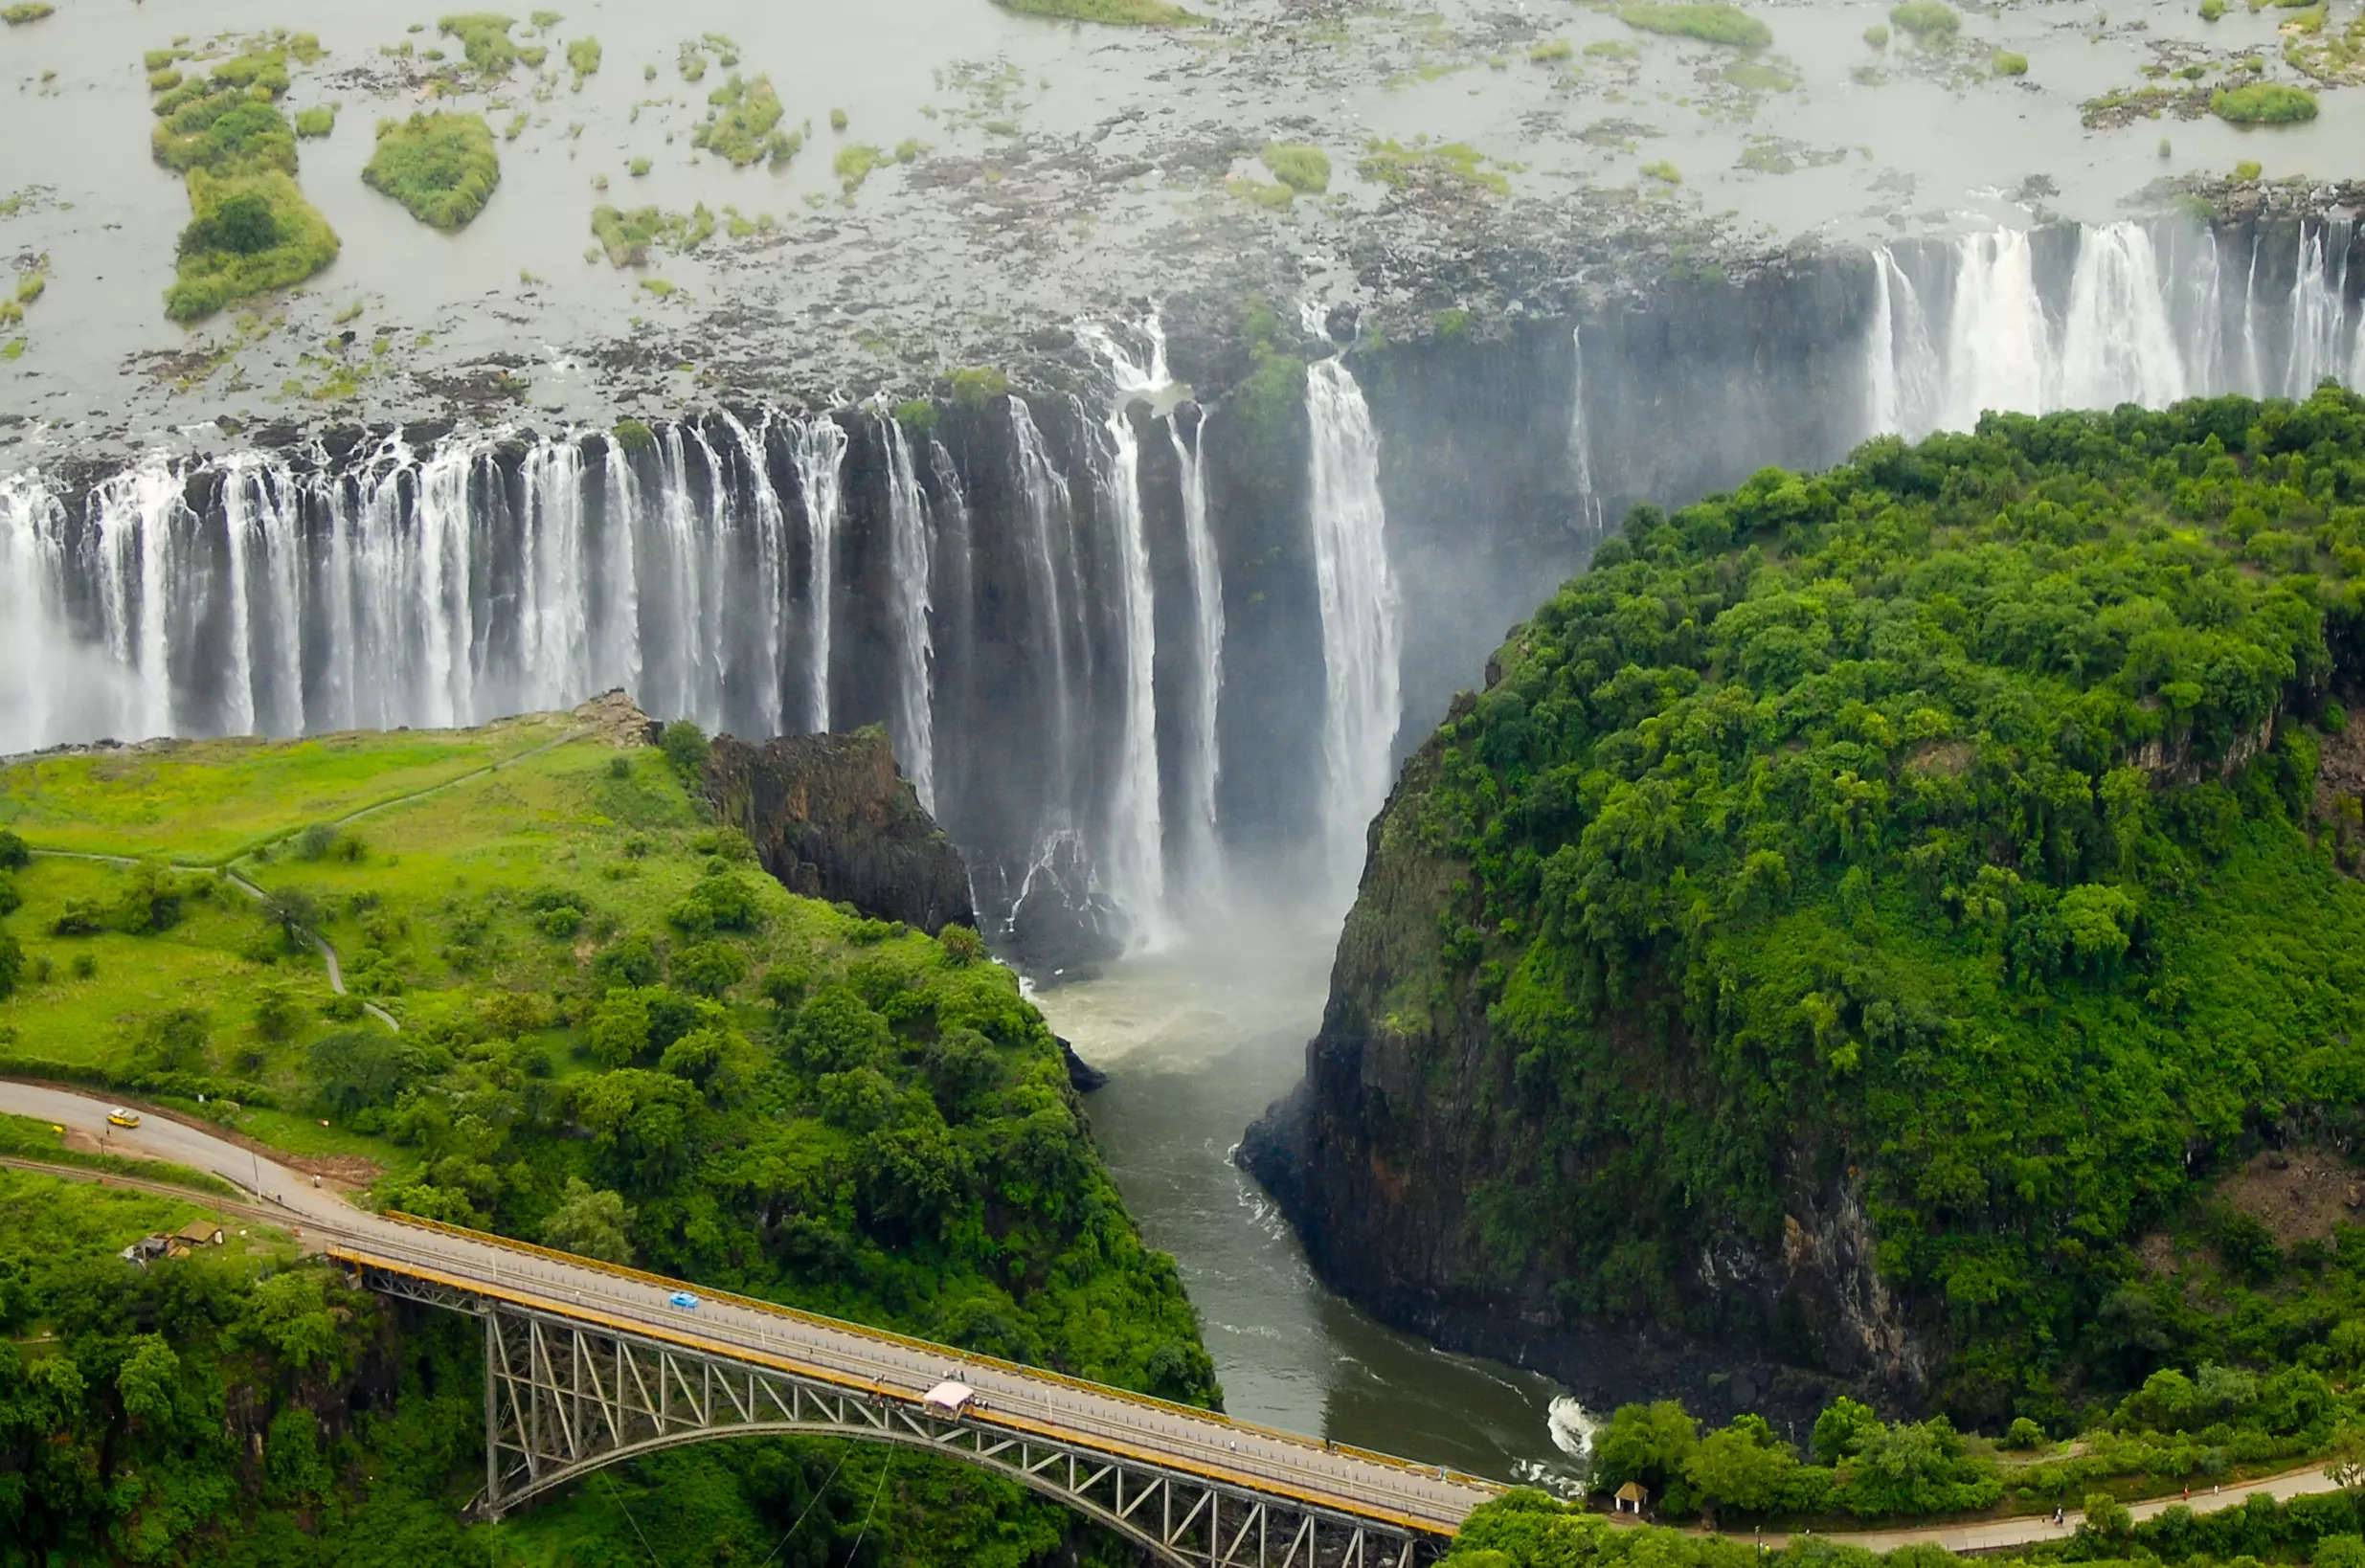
(616, 1037)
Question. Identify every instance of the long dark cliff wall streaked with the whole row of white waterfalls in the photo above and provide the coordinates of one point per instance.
(1127, 642)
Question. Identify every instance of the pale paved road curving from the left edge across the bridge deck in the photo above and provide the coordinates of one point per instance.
(1248, 1456)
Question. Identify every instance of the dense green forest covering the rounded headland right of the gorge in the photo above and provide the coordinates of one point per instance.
(1969, 834)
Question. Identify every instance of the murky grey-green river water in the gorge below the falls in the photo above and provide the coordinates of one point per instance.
(1198, 1039)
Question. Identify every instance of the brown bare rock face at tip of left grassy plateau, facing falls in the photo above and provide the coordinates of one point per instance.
(834, 819)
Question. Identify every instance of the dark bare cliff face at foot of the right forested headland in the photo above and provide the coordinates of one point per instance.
(1408, 1117)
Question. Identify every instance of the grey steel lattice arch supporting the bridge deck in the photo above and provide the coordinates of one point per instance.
(566, 1397)
